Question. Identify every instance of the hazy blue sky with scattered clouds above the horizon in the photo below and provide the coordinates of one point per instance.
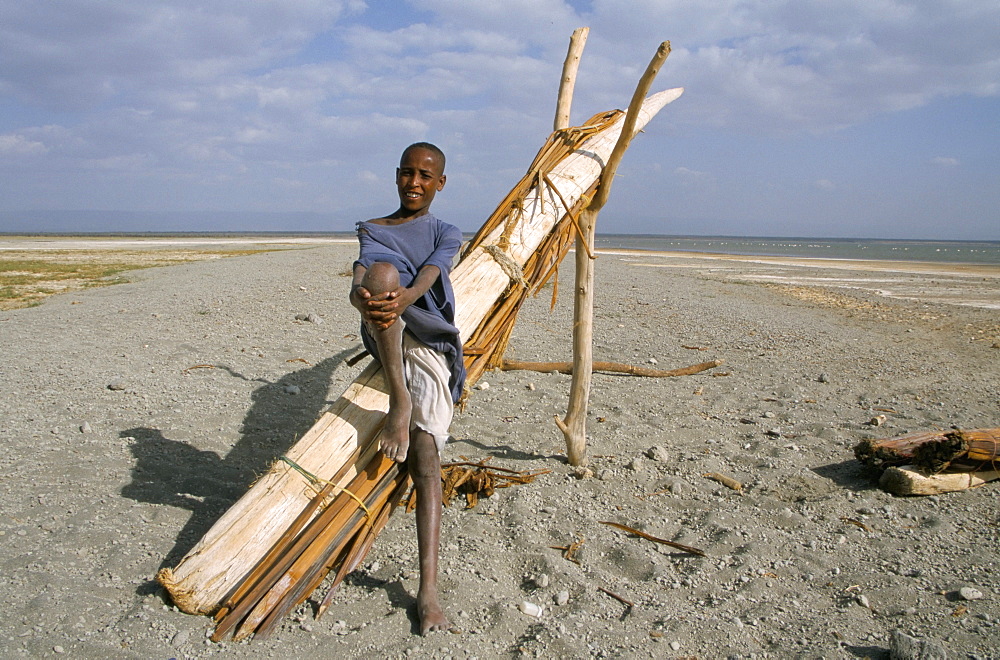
(828, 118)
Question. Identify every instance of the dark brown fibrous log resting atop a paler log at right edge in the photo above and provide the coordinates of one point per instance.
(934, 451)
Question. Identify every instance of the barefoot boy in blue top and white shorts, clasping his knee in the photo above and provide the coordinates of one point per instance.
(402, 290)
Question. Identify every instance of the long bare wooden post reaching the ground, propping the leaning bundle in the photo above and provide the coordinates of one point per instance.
(574, 426)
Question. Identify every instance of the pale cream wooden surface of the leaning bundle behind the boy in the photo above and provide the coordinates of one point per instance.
(343, 439)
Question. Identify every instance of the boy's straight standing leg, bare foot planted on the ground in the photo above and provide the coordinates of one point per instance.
(424, 465)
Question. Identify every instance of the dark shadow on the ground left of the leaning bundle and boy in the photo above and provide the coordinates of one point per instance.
(174, 473)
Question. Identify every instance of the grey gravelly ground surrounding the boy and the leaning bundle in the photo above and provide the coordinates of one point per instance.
(105, 485)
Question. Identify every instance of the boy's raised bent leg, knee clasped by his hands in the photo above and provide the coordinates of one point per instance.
(395, 438)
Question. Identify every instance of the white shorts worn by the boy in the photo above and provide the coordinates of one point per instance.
(427, 376)
